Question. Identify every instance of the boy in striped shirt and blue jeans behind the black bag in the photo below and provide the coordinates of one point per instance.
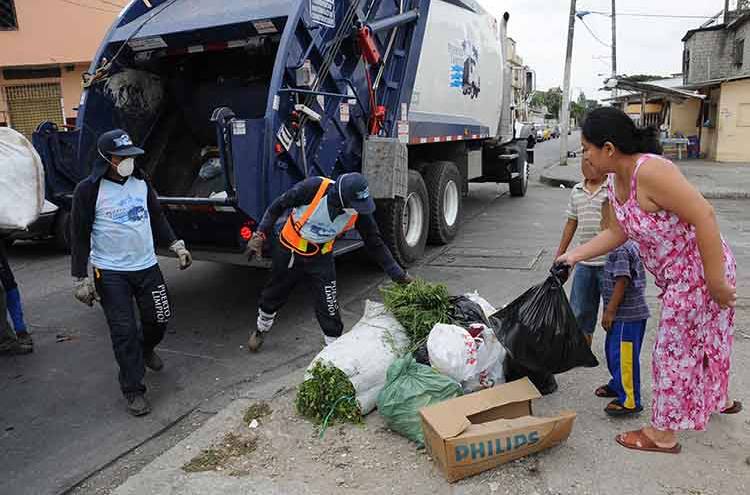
(584, 218)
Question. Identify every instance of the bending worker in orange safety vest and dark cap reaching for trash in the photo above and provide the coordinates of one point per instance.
(320, 211)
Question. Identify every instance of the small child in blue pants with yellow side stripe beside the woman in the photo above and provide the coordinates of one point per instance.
(624, 319)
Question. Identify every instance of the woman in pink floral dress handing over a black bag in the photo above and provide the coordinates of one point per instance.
(680, 244)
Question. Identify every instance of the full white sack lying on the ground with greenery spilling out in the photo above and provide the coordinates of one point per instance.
(366, 351)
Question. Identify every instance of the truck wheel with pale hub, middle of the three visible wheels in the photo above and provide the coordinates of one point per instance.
(444, 187)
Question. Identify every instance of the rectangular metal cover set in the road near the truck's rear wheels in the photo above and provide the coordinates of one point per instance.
(498, 259)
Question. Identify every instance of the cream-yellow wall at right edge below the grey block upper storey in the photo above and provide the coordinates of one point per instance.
(733, 122)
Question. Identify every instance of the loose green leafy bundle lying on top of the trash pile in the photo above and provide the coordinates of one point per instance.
(418, 306)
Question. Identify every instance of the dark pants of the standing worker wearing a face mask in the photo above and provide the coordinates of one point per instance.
(131, 341)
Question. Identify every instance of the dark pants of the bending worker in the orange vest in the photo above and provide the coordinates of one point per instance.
(319, 272)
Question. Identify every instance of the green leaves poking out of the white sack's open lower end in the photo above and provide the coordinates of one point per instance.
(328, 394)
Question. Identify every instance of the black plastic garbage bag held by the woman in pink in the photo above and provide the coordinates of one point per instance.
(539, 329)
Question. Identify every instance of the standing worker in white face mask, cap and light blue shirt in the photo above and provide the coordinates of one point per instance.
(115, 221)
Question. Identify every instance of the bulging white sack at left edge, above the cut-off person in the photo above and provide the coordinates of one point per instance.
(21, 181)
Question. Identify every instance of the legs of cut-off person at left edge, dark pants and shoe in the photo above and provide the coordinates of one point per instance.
(21, 342)
